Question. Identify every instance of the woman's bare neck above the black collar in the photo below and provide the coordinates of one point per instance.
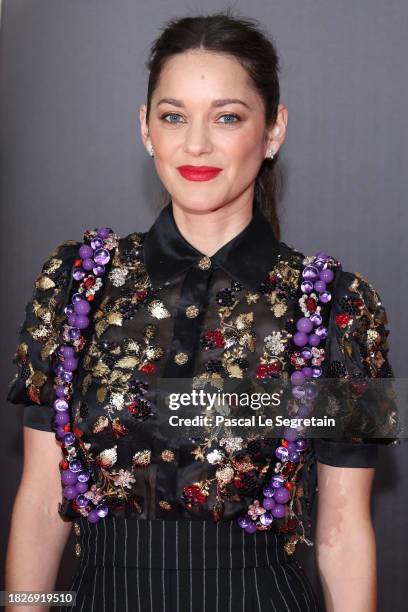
(208, 230)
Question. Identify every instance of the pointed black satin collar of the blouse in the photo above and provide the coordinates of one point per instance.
(247, 257)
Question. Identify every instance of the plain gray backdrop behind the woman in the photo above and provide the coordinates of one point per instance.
(73, 76)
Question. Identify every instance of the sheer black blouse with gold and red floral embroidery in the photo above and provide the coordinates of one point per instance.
(168, 311)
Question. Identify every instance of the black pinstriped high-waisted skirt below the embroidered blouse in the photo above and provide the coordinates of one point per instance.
(185, 566)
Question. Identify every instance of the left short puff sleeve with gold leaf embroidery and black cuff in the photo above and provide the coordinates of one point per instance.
(32, 385)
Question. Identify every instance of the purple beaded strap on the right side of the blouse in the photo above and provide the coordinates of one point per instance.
(306, 359)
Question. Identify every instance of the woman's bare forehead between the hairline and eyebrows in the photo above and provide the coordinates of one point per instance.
(204, 73)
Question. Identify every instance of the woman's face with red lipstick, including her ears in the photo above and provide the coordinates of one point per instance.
(191, 123)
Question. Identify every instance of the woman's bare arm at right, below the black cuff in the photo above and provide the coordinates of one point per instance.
(345, 539)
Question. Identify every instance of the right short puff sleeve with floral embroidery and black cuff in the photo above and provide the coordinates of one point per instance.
(357, 348)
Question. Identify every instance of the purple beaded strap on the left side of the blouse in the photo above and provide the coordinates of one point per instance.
(88, 270)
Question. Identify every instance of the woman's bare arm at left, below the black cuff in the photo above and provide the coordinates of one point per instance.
(38, 534)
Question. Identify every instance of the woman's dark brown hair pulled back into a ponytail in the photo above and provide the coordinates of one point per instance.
(244, 39)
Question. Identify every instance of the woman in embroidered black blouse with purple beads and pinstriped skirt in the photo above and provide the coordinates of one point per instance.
(208, 293)
